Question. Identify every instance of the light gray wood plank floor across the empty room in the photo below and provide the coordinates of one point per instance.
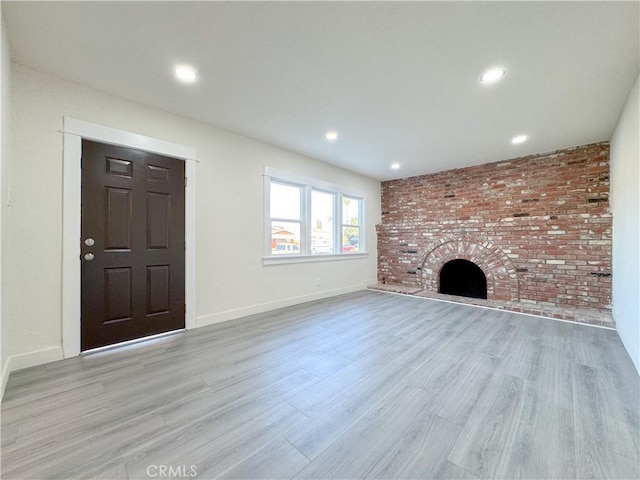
(367, 385)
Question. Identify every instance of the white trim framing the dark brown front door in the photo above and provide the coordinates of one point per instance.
(74, 131)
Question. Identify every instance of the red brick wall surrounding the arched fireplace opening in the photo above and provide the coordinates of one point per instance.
(538, 226)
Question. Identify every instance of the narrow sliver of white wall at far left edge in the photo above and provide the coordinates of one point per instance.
(5, 78)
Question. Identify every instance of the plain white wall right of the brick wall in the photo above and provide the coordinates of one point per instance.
(625, 206)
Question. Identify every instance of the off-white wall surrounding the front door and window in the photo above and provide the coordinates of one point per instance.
(231, 280)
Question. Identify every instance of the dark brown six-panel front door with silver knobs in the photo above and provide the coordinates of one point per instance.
(132, 241)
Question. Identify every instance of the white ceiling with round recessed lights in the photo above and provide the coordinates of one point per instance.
(399, 81)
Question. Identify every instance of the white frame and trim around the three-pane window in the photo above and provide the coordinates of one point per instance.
(308, 185)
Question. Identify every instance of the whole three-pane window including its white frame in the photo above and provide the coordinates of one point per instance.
(310, 219)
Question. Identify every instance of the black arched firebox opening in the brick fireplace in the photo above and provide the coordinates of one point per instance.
(463, 278)
